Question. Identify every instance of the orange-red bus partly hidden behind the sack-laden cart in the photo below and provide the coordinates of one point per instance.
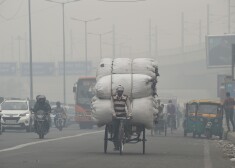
(84, 90)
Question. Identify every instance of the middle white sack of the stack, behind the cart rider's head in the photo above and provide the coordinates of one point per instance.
(137, 84)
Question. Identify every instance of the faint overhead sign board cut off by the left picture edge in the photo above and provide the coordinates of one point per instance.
(7, 69)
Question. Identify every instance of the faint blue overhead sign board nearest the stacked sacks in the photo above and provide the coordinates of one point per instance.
(75, 68)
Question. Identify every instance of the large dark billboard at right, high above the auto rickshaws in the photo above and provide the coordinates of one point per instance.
(219, 50)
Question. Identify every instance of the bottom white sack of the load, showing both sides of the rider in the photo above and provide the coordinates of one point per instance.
(142, 111)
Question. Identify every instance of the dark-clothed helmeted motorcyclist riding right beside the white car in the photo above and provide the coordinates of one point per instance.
(42, 104)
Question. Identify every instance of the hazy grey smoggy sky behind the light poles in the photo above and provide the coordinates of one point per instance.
(131, 22)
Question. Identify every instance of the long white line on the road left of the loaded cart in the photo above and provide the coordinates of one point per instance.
(49, 140)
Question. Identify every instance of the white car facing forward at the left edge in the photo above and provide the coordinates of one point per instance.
(16, 114)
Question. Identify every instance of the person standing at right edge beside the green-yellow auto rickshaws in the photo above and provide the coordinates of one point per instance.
(228, 107)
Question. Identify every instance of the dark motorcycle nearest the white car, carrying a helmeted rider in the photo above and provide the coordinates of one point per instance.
(41, 122)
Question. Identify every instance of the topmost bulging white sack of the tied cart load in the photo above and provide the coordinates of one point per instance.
(143, 66)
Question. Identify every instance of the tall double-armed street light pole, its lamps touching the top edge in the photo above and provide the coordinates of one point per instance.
(64, 68)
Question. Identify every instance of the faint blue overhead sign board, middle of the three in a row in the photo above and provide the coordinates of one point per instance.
(39, 69)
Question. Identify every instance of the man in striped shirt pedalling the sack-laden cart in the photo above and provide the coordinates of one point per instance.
(119, 103)
